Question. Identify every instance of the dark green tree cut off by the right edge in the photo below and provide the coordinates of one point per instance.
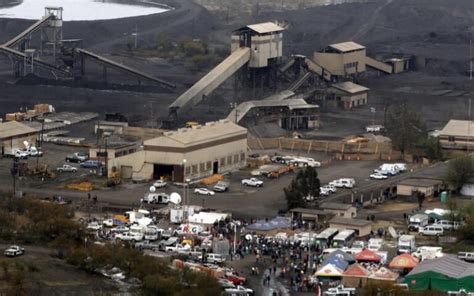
(459, 171)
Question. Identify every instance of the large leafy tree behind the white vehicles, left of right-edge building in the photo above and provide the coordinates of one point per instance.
(404, 127)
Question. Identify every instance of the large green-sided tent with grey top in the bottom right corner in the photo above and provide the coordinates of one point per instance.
(447, 273)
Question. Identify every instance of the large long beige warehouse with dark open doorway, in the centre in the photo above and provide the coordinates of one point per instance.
(187, 153)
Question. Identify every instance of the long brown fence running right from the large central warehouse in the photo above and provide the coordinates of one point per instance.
(343, 150)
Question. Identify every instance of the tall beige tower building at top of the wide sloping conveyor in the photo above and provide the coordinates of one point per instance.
(265, 41)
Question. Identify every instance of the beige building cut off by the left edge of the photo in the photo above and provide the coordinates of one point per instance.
(13, 134)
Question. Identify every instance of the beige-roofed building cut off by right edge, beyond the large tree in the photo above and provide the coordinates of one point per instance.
(457, 135)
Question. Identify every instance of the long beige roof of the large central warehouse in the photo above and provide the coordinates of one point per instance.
(185, 137)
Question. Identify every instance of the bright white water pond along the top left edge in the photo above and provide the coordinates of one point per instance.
(75, 10)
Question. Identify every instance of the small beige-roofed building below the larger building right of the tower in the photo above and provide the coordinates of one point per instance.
(347, 95)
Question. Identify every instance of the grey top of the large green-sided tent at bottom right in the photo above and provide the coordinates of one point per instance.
(448, 265)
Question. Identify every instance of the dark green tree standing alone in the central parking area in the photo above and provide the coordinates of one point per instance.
(306, 183)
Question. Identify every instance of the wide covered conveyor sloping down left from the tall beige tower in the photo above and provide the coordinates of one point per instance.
(211, 80)
